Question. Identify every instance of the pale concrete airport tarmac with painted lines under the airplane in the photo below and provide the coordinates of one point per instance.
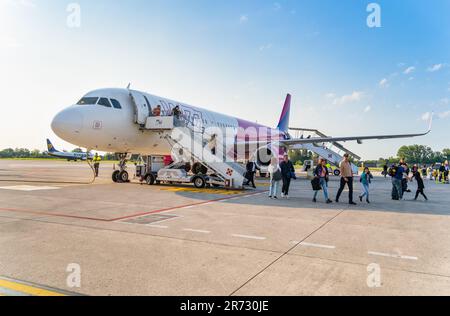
(60, 235)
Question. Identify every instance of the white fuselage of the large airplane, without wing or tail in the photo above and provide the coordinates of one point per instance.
(111, 129)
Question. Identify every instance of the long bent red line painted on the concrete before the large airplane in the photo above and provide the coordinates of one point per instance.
(124, 217)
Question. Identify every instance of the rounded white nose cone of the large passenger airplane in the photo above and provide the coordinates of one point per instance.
(67, 123)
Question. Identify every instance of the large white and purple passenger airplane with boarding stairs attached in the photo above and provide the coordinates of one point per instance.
(114, 120)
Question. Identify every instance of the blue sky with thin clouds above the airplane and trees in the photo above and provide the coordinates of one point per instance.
(235, 57)
